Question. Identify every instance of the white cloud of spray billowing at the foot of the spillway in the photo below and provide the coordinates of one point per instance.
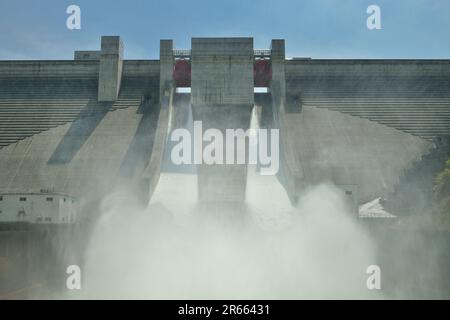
(165, 251)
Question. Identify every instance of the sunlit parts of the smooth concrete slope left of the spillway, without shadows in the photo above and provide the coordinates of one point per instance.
(88, 175)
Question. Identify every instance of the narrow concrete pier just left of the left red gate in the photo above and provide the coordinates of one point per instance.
(165, 71)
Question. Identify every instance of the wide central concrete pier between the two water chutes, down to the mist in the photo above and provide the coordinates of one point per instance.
(222, 98)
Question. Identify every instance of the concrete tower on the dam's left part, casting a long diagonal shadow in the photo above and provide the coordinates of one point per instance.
(110, 73)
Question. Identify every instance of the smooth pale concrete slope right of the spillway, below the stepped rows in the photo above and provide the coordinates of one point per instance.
(333, 147)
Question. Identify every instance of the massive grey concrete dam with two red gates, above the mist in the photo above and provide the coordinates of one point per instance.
(73, 132)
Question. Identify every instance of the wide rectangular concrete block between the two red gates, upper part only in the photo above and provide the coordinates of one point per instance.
(222, 71)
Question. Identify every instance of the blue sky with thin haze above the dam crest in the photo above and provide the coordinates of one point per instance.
(312, 28)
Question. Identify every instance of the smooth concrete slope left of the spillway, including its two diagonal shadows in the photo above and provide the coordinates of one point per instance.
(84, 158)
